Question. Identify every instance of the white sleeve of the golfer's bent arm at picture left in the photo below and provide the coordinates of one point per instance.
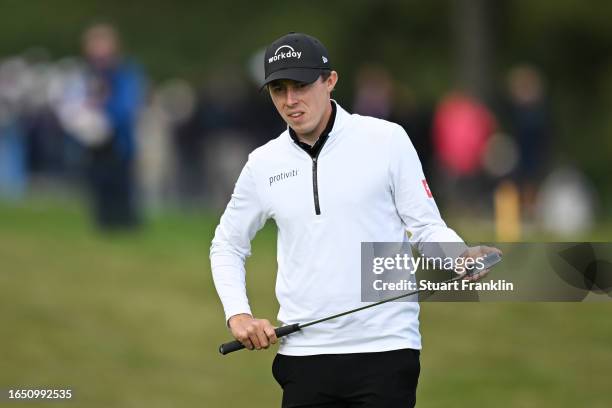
(243, 217)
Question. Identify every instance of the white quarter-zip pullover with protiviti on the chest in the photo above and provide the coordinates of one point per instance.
(365, 185)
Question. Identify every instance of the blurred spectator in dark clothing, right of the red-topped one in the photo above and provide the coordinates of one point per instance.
(529, 125)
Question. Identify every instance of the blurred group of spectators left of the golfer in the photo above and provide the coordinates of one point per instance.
(96, 124)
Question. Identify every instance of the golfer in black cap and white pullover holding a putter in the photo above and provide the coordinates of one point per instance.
(330, 181)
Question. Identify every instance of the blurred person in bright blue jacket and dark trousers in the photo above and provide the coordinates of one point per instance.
(115, 87)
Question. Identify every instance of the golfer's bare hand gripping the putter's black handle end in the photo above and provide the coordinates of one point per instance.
(252, 332)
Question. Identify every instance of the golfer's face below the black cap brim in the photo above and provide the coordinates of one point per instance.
(302, 105)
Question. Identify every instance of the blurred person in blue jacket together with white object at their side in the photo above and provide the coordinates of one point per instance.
(100, 108)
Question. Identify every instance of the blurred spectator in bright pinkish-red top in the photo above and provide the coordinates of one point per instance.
(461, 128)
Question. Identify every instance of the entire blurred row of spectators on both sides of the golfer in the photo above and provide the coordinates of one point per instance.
(95, 123)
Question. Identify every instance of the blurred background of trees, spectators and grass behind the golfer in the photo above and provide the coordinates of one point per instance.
(124, 125)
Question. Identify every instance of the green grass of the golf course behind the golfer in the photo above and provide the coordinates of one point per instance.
(133, 320)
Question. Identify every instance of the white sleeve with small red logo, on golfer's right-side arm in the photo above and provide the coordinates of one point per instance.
(414, 201)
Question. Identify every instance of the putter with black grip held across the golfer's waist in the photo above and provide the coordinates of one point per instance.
(488, 261)
